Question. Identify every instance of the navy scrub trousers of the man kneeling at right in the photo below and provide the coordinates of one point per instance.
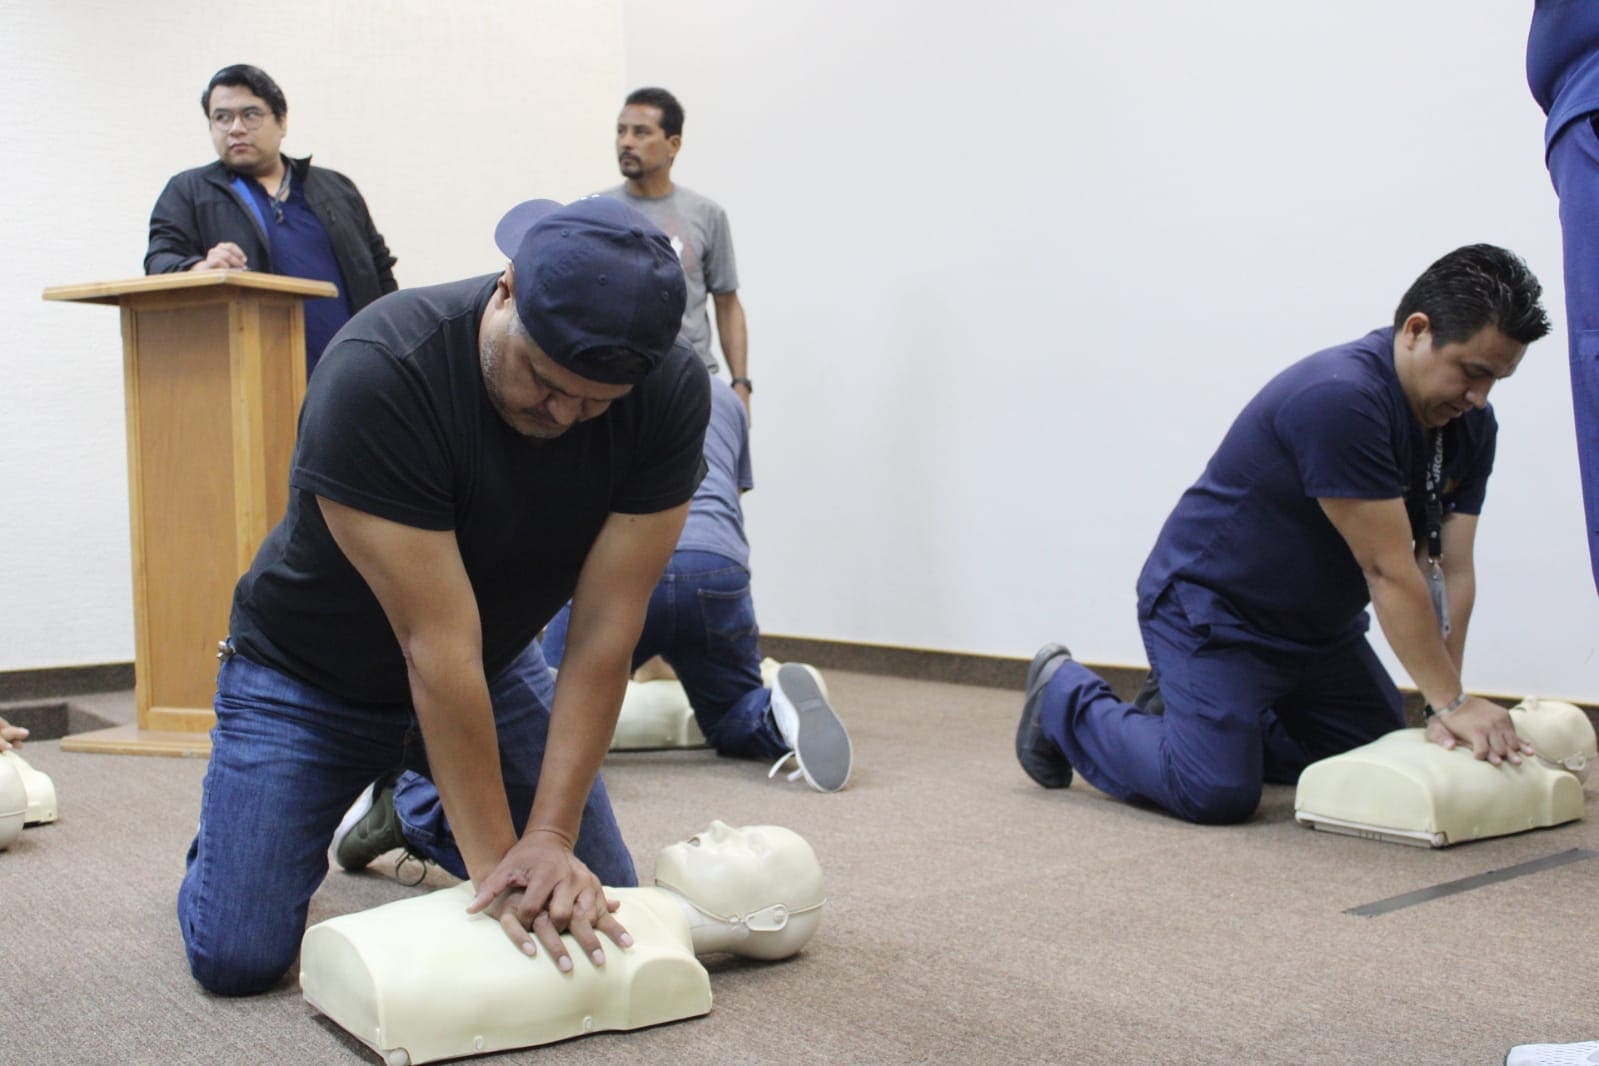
(1238, 714)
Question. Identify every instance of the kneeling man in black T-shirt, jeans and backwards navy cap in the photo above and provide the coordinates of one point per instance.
(469, 458)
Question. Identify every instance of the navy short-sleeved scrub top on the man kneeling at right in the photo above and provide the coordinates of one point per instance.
(1250, 551)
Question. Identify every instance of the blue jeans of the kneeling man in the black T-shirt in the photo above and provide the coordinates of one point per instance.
(287, 762)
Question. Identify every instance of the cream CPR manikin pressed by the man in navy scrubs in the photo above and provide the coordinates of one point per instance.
(1405, 789)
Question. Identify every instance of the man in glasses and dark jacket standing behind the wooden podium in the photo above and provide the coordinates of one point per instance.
(258, 210)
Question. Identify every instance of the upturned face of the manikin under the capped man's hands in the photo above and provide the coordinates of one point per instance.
(735, 872)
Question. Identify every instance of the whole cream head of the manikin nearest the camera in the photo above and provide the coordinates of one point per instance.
(760, 880)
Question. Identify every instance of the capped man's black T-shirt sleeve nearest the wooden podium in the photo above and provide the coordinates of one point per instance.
(372, 439)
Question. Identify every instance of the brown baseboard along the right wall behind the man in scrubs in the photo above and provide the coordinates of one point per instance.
(995, 672)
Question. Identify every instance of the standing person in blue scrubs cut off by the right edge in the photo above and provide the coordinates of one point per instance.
(1563, 70)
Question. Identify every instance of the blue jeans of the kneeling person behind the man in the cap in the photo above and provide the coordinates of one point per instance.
(701, 621)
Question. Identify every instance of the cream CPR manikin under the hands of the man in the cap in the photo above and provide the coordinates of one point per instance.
(421, 980)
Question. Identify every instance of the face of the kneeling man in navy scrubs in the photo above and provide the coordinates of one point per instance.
(1451, 380)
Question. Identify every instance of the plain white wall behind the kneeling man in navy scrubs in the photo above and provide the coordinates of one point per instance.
(1013, 268)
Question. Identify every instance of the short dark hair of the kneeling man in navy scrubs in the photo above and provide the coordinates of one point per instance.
(1475, 287)
